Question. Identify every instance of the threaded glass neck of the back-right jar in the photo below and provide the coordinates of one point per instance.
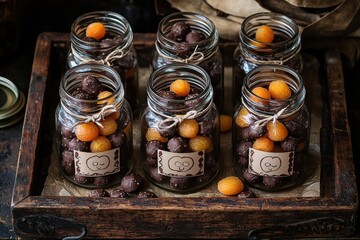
(287, 41)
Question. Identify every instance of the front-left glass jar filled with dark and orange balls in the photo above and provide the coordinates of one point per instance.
(94, 136)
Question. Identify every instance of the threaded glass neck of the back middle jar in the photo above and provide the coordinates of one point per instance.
(182, 51)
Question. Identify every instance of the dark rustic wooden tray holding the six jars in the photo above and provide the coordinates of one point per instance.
(331, 215)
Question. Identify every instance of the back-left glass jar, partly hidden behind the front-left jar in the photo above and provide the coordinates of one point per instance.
(115, 49)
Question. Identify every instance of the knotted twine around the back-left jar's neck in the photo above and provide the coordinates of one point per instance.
(117, 53)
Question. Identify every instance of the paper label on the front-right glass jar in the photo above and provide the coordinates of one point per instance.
(271, 163)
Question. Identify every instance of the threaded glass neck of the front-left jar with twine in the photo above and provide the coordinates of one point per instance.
(79, 110)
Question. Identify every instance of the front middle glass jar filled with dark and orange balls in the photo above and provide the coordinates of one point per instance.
(180, 136)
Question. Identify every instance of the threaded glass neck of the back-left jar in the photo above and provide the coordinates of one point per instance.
(116, 43)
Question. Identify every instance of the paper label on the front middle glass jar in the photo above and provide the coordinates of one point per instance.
(181, 164)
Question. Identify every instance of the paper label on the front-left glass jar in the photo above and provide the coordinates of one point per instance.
(97, 164)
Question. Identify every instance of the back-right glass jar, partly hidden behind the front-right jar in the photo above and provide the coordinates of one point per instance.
(284, 49)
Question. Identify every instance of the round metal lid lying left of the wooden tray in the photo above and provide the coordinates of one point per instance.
(12, 102)
